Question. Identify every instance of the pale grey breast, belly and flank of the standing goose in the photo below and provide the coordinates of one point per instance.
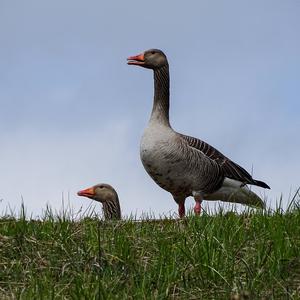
(172, 164)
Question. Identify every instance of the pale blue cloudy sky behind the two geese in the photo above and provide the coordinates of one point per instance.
(72, 112)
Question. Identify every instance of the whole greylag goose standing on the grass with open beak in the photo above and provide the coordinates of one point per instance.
(183, 165)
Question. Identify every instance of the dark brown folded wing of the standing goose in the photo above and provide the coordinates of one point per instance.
(229, 168)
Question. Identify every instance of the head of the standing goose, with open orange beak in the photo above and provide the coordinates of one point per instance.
(150, 59)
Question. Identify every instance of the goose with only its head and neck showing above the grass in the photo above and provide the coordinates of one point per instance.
(108, 196)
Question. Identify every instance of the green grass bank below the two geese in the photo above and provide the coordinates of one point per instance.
(254, 255)
